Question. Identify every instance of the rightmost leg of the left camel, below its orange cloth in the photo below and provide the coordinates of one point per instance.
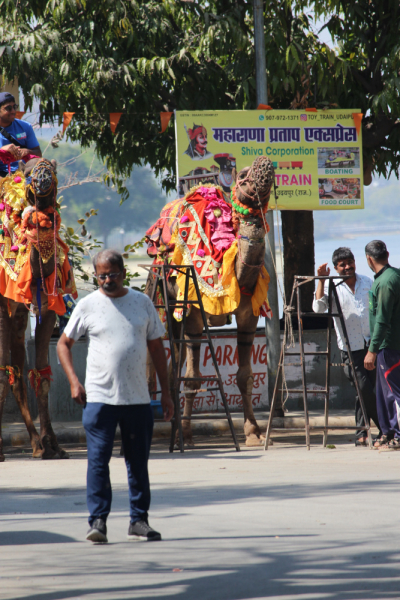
(43, 334)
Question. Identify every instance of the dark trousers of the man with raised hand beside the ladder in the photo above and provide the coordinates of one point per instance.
(366, 383)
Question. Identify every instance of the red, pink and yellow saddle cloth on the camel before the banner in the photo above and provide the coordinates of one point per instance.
(202, 235)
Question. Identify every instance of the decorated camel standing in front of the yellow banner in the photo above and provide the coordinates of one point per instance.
(226, 244)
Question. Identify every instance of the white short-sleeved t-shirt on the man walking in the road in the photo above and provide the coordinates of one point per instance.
(117, 330)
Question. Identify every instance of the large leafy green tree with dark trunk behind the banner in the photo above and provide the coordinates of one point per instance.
(140, 57)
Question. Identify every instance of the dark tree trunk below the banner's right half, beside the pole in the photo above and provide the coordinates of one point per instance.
(298, 252)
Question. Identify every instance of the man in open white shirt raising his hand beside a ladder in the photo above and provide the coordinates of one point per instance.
(354, 301)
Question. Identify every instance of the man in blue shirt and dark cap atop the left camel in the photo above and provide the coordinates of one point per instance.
(16, 136)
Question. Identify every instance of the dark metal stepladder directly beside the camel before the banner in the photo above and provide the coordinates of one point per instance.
(160, 275)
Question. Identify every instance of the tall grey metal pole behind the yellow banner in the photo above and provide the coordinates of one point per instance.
(272, 329)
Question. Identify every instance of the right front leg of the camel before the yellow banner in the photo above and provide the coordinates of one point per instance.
(246, 328)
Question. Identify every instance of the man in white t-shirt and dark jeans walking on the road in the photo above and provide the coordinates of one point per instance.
(121, 324)
